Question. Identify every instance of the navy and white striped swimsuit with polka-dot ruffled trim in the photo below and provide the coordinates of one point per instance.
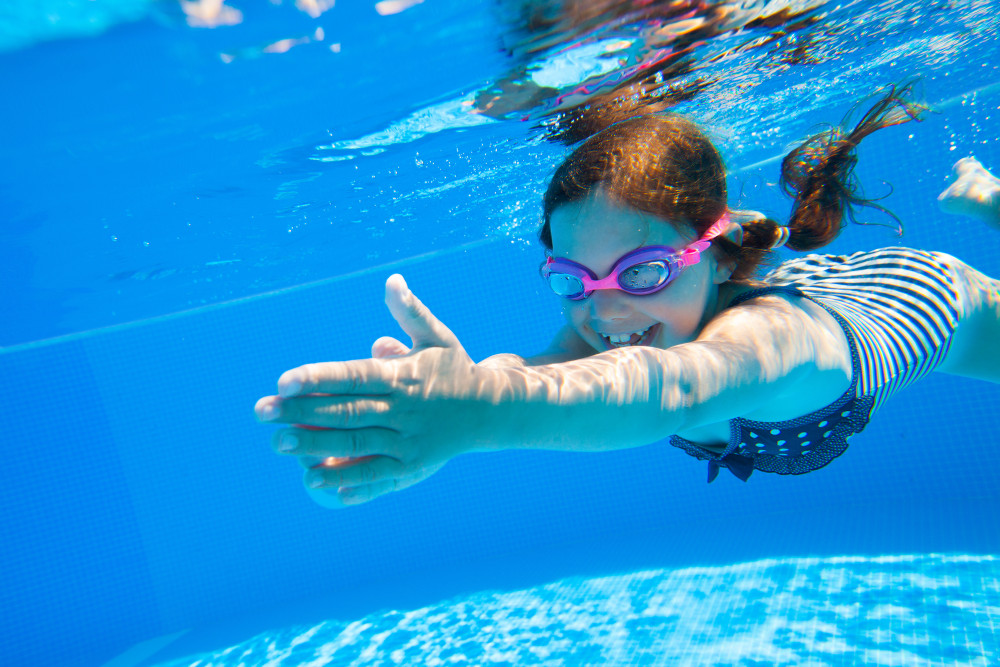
(898, 308)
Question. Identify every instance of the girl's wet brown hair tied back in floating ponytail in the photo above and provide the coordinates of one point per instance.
(663, 164)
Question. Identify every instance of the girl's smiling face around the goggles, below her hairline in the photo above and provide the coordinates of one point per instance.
(595, 232)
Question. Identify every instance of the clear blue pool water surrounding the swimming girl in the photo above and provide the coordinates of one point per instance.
(189, 211)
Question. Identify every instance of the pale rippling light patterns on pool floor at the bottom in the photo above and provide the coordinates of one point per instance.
(908, 610)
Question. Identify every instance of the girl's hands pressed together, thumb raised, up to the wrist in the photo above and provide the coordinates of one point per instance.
(368, 427)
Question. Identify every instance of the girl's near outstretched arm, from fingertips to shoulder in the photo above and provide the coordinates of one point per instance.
(391, 422)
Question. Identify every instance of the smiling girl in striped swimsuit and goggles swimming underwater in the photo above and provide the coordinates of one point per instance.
(668, 333)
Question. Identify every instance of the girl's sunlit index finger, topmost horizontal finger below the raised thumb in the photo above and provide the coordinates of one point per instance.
(364, 376)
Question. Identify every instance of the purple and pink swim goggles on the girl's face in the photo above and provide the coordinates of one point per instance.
(642, 271)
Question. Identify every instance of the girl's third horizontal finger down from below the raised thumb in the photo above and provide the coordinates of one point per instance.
(352, 443)
